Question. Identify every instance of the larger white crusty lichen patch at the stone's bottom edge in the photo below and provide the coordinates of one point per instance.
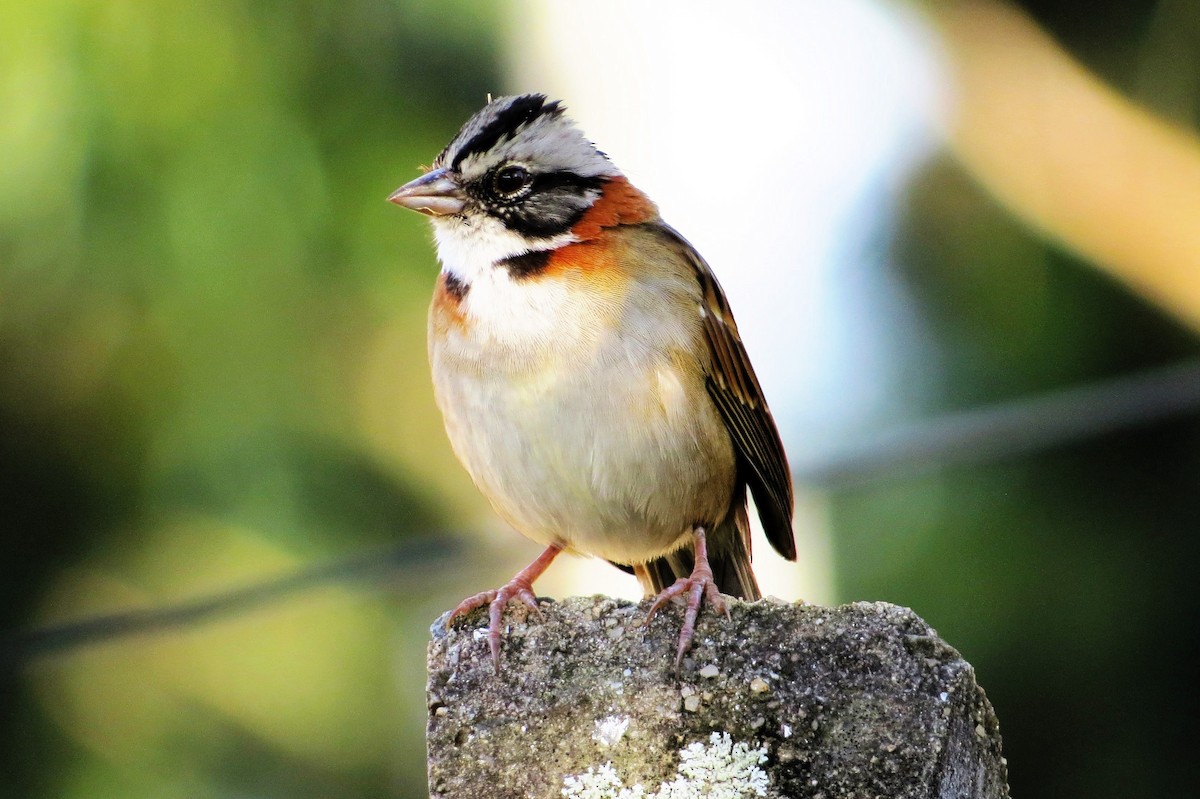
(722, 770)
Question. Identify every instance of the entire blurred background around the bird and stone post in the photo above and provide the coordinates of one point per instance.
(962, 241)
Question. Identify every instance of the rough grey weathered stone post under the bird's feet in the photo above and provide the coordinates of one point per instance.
(856, 701)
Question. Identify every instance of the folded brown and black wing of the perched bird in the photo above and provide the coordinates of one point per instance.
(739, 398)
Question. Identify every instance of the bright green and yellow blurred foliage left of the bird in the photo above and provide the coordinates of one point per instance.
(212, 371)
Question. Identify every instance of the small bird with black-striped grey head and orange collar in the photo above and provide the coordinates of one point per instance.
(590, 371)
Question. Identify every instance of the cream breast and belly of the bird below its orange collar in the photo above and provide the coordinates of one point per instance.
(579, 407)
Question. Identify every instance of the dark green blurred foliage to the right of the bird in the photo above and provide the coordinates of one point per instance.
(1066, 579)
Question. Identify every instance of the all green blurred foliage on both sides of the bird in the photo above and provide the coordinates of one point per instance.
(213, 376)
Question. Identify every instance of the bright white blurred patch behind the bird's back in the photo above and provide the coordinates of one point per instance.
(776, 137)
